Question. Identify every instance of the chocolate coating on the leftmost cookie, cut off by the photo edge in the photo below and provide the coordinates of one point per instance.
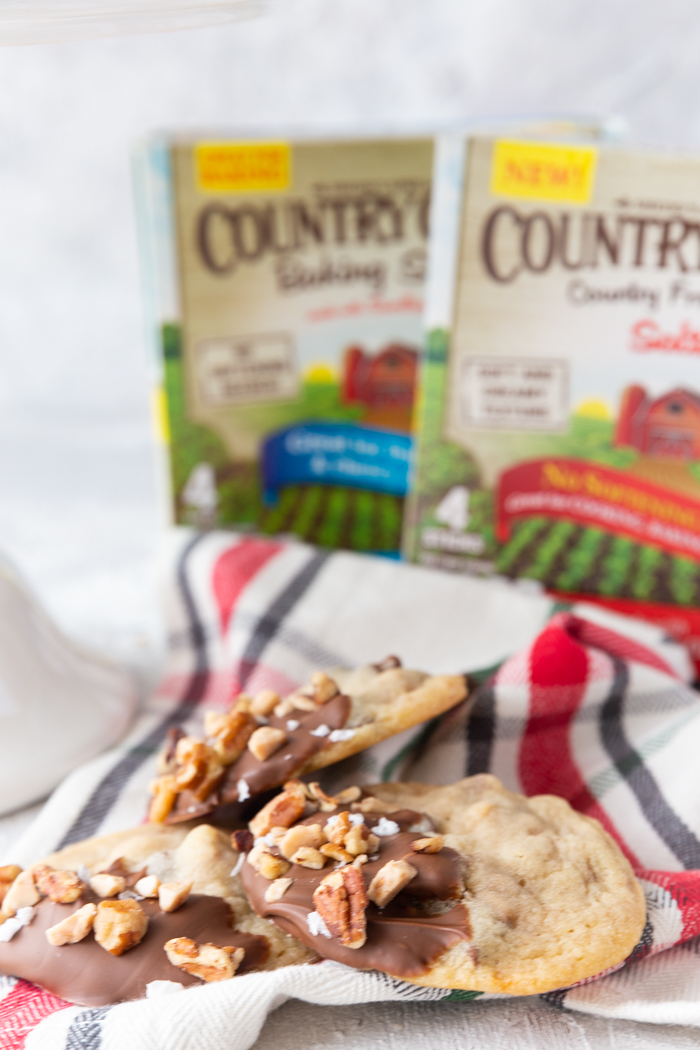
(89, 976)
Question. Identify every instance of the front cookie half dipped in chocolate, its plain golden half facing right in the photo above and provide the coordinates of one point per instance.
(464, 887)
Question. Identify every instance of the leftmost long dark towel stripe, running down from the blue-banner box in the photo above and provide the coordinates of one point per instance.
(108, 792)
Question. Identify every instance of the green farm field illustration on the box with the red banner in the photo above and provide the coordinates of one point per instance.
(561, 555)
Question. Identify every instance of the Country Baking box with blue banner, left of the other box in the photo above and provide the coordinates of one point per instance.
(286, 287)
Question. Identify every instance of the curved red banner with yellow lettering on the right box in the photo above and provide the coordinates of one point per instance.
(603, 498)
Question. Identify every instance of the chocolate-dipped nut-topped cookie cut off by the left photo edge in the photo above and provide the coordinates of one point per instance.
(101, 920)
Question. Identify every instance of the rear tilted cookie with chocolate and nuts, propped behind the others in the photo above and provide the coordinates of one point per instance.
(266, 740)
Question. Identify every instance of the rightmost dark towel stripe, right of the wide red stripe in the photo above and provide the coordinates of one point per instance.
(630, 765)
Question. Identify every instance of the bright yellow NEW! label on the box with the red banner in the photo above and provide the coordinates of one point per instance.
(541, 172)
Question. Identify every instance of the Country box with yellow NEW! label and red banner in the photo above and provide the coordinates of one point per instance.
(560, 405)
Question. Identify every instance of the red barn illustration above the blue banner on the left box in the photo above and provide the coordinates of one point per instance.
(385, 384)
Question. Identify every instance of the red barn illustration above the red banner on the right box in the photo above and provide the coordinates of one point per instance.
(666, 428)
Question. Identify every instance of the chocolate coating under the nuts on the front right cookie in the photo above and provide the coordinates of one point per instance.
(405, 938)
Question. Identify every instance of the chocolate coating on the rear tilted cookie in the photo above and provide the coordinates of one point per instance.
(280, 767)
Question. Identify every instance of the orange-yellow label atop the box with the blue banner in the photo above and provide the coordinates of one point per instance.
(241, 167)
